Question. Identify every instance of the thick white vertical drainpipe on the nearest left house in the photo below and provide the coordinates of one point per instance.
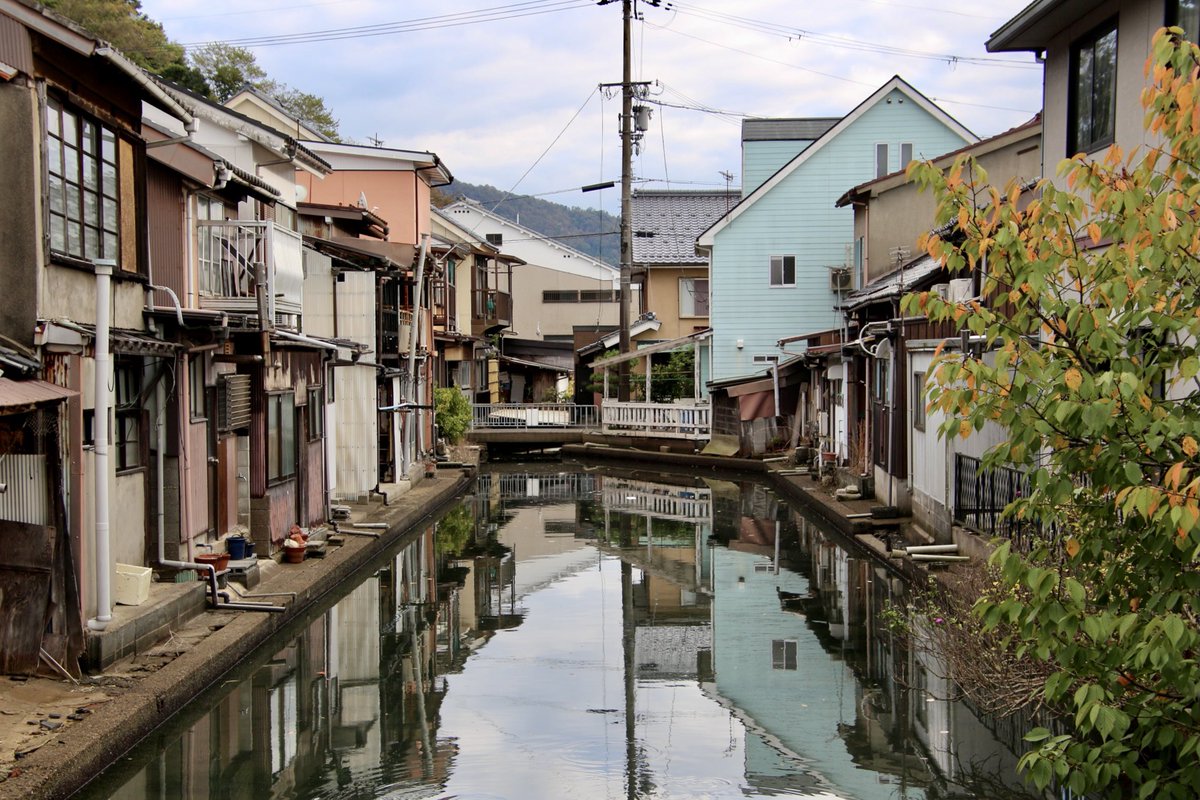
(100, 430)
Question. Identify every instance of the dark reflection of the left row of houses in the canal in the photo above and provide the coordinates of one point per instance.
(350, 706)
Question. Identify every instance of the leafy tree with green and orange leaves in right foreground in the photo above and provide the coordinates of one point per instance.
(1090, 323)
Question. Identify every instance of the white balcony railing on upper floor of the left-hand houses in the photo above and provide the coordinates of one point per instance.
(230, 255)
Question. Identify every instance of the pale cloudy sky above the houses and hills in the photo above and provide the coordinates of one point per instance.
(507, 92)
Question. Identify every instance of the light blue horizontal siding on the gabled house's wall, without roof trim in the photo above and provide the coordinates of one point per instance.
(797, 218)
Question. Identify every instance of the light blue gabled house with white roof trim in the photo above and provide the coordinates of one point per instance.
(782, 260)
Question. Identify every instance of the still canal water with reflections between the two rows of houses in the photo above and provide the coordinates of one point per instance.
(568, 633)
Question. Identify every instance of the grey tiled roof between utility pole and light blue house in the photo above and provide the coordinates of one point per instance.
(667, 224)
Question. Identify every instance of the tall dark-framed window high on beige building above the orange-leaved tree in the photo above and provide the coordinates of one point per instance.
(1093, 103)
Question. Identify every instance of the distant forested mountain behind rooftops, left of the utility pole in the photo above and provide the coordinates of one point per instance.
(589, 231)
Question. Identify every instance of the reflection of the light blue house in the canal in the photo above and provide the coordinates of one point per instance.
(772, 667)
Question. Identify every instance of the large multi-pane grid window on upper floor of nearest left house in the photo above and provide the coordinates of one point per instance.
(82, 166)
